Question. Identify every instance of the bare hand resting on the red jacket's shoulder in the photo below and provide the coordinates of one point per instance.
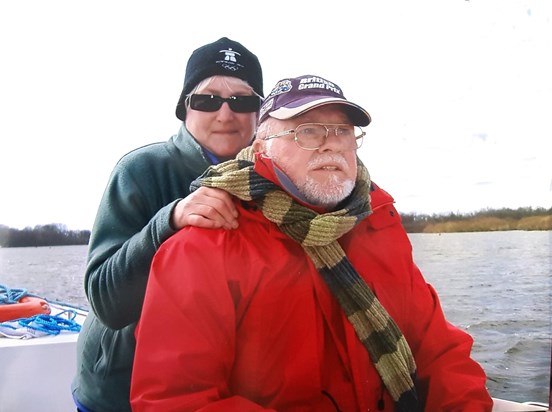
(206, 207)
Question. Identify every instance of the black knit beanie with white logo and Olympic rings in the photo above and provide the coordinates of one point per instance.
(224, 57)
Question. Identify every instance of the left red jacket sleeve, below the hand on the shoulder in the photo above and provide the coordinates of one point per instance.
(186, 333)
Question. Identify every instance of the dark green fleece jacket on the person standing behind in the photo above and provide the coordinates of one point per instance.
(131, 223)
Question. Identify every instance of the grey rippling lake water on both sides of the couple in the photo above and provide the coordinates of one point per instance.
(494, 285)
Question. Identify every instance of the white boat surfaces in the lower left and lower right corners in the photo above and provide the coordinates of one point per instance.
(37, 373)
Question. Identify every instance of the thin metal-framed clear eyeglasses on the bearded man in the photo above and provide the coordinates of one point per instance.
(311, 136)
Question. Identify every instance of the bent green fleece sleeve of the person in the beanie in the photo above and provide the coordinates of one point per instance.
(128, 230)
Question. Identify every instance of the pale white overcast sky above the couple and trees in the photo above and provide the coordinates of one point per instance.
(460, 92)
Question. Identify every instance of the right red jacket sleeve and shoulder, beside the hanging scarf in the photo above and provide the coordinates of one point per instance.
(449, 379)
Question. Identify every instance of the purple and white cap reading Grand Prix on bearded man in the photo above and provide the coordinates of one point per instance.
(295, 96)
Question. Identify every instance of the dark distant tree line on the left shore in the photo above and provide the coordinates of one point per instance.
(54, 234)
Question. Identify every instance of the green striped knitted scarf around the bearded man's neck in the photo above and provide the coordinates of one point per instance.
(318, 234)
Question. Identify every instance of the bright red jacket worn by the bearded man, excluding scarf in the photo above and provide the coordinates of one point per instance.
(240, 320)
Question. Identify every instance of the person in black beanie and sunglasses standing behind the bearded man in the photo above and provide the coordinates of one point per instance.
(147, 200)
